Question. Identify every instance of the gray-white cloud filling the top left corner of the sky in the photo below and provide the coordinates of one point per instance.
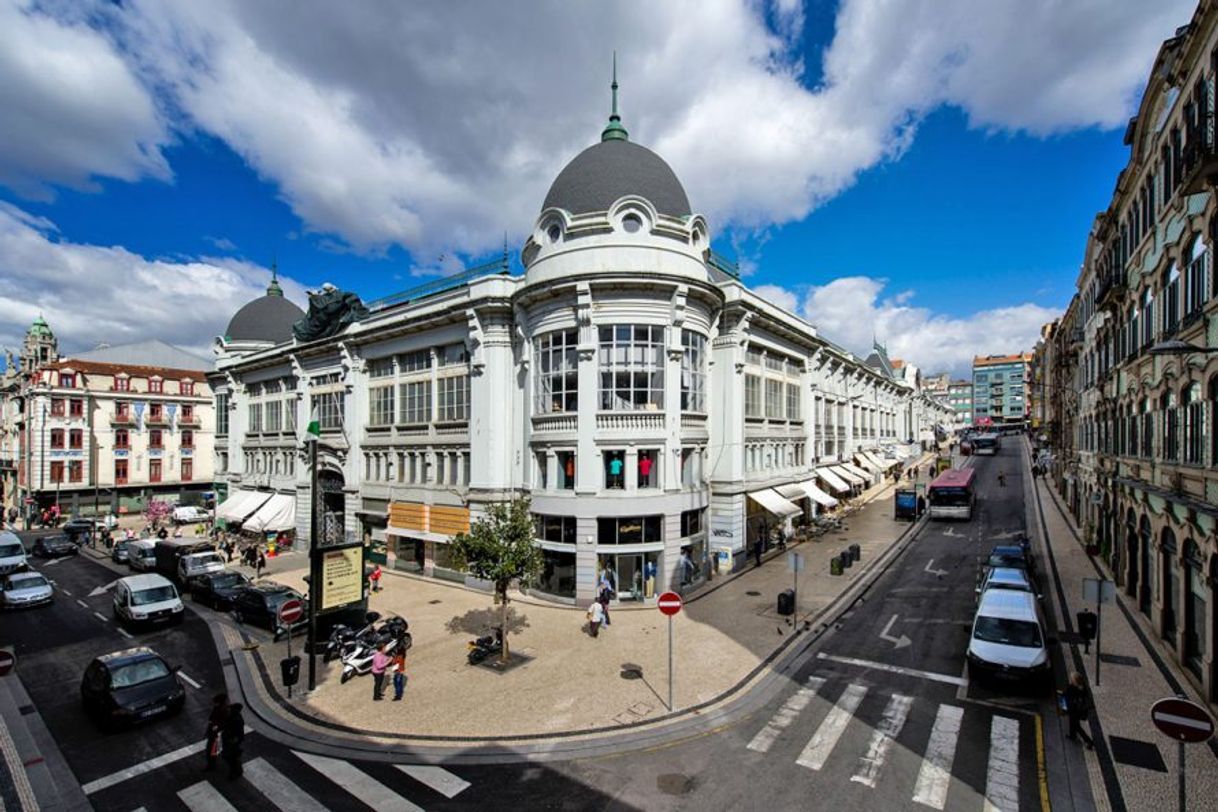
(71, 108)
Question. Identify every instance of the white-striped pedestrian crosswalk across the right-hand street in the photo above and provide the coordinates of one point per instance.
(837, 718)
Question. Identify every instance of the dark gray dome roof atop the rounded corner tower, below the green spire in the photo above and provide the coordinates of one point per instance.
(612, 170)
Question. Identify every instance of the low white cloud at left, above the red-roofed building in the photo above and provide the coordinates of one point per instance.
(92, 294)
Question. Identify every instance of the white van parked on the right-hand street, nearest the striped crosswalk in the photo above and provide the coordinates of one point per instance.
(1009, 640)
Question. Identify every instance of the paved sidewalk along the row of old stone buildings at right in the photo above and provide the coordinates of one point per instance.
(1121, 726)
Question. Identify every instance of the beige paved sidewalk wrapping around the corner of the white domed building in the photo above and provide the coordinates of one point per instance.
(573, 685)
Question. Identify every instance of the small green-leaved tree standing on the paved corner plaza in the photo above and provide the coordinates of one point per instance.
(501, 548)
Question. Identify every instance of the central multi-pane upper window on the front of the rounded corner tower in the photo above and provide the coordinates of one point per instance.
(632, 367)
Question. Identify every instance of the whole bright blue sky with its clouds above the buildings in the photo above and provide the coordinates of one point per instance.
(881, 167)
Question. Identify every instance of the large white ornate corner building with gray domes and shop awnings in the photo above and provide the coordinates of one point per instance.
(660, 415)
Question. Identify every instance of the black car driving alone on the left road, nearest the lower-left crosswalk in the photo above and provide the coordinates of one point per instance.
(130, 687)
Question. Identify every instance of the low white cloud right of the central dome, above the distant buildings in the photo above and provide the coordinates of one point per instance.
(852, 311)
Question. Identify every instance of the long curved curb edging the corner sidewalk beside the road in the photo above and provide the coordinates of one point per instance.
(283, 721)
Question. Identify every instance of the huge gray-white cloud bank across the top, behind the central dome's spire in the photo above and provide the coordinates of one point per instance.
(440, 126)
